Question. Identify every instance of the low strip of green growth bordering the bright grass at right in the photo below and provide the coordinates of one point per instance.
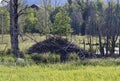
(99, 62)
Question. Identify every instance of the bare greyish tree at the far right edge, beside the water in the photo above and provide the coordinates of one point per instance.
(112, 26)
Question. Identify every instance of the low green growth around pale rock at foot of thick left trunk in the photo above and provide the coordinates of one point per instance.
(10, 60)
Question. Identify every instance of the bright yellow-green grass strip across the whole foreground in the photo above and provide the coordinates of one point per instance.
(60, 72)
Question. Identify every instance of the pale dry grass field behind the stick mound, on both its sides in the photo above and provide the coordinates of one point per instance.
(24, 45)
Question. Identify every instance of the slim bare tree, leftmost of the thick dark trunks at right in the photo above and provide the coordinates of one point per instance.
(100, 8)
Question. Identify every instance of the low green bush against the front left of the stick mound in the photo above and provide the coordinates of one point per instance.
(45, 58)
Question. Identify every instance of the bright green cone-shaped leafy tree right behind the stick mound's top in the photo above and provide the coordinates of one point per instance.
(61, 25)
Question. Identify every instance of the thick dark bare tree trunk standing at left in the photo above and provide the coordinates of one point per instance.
(14, 26)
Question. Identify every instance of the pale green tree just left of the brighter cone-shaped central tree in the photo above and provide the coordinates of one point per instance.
(41, 18)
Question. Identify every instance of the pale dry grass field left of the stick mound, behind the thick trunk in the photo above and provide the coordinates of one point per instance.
(23, 45)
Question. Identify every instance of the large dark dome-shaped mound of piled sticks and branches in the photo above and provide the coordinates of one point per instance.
(58, 45)
